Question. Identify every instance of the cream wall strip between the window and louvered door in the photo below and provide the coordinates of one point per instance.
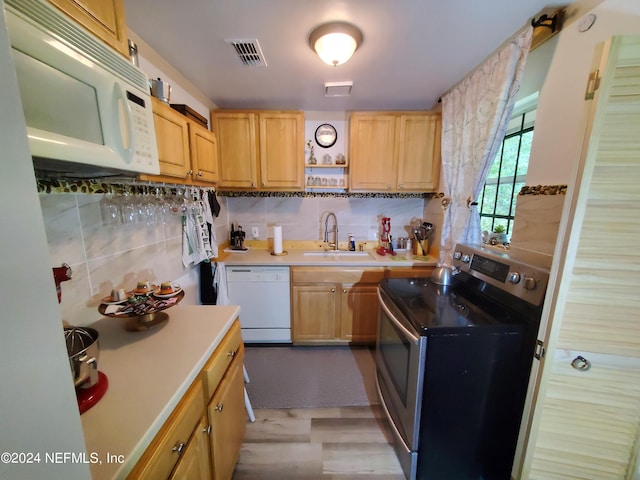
(562, 110)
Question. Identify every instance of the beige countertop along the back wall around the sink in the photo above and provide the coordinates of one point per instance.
(257, 256)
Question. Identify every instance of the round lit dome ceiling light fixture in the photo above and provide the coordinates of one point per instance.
(335, 42)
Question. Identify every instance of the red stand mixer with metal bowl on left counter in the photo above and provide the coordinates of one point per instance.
(83, 351)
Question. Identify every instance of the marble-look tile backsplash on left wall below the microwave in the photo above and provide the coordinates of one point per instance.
(103, 258)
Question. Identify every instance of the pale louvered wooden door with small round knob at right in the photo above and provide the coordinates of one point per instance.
(587, 419)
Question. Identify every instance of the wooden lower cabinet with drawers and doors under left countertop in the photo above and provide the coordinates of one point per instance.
(202, 437)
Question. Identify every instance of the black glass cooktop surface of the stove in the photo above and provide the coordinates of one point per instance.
(429, 306)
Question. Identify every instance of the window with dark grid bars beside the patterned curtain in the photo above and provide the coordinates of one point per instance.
(508, 170)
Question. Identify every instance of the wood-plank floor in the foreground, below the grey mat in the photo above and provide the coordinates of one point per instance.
(318, 443)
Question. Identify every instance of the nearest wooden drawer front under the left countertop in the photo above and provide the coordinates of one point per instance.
(163, 453)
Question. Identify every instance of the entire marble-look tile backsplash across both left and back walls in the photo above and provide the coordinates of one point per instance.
(103, 258)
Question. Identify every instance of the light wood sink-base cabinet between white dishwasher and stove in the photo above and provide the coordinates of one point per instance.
(339, 304)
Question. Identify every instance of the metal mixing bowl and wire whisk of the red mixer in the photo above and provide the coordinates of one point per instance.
(83, 351)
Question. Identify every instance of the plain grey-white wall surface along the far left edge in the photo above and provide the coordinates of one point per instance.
(37, 397)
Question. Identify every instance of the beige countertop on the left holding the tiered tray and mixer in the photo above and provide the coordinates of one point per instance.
(148, 373)
